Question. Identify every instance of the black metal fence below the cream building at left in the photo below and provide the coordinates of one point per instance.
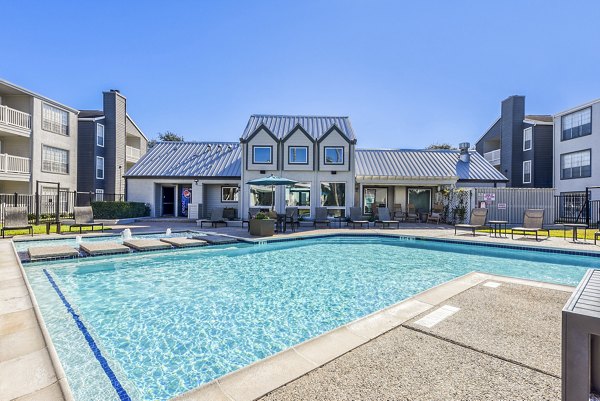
(53, 206)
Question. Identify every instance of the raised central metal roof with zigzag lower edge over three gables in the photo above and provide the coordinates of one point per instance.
(315, 126)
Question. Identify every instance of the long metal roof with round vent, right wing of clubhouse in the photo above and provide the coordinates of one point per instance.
(424, 164)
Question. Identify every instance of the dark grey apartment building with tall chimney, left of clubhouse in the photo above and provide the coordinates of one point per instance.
(110, 143)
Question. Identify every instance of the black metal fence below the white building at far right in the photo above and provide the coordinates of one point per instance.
(577, 208)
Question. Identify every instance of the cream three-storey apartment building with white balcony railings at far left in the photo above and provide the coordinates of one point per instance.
(38, 142)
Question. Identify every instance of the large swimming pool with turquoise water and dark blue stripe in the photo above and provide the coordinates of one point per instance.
(169, 322)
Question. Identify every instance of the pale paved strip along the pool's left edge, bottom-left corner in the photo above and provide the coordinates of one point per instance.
(26, 368)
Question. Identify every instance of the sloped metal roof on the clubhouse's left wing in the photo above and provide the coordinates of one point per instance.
(190, 159)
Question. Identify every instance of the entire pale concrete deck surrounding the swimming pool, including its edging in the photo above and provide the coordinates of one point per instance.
(470, 360)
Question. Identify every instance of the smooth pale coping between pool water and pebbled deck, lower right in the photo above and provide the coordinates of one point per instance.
(264, 376)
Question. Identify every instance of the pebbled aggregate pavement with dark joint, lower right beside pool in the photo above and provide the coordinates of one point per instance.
(502, 344)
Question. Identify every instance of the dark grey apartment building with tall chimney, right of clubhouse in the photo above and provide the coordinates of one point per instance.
(519, 145)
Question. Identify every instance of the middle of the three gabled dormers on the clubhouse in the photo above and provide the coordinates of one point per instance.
(298, 150)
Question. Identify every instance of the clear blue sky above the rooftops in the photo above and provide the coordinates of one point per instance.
(407, 73)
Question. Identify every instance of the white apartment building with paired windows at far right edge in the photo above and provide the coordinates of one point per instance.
(577, 148)
